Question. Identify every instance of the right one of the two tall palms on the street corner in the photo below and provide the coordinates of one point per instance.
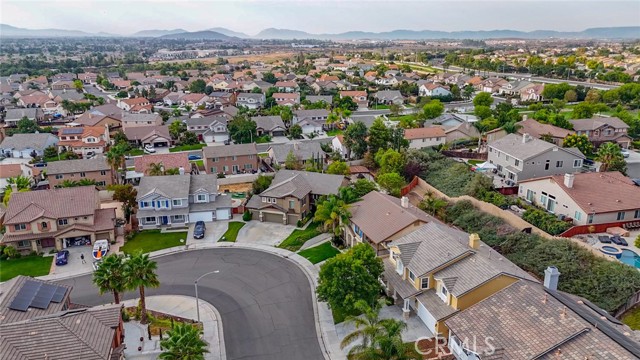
(140, 273)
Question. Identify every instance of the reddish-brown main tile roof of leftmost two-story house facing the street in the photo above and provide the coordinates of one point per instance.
(53, 203)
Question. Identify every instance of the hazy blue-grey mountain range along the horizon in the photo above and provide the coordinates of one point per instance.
(219, 33)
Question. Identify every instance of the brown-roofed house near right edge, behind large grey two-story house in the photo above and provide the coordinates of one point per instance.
(603, 129)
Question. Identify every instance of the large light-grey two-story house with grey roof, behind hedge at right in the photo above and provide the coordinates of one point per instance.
(521, 157)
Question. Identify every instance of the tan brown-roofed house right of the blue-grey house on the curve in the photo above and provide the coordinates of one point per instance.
(292, 195)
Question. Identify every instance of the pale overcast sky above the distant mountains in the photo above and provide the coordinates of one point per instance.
(126, 17)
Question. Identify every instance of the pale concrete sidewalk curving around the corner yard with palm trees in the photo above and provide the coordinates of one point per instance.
(182, 306)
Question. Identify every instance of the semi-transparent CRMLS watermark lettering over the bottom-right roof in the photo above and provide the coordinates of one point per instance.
(440, 345)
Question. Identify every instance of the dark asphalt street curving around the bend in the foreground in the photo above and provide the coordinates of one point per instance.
(264, 300)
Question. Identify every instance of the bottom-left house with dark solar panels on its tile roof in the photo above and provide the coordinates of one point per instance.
(39, 319)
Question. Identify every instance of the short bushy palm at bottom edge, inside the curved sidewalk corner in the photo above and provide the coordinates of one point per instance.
(184, 343)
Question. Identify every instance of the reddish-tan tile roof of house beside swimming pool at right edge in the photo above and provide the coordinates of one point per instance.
(599, 192)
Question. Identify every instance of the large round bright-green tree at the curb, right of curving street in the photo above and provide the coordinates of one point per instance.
(349, 277)
